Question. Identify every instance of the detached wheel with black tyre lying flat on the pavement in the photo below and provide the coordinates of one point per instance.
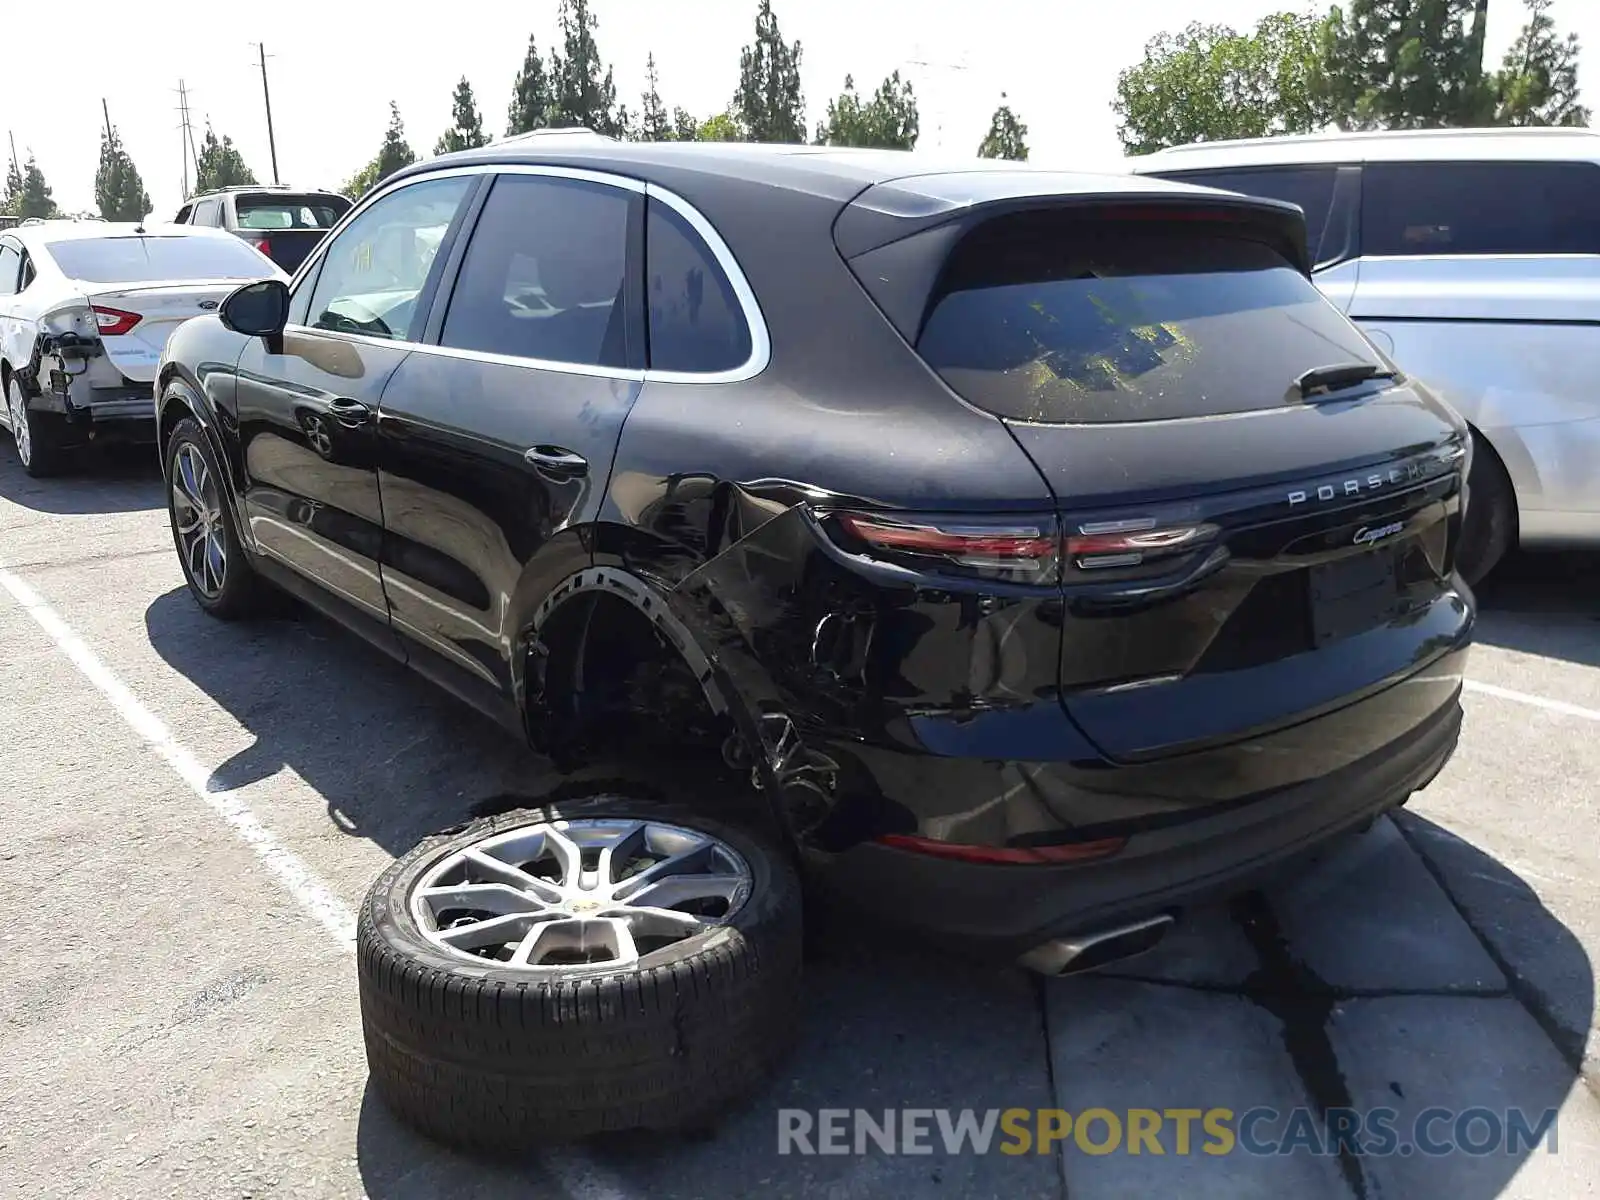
(548, 975)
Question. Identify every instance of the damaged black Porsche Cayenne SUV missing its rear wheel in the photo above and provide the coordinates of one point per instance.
(1046, 545)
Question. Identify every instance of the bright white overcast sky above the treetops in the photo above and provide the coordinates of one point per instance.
(334, 71)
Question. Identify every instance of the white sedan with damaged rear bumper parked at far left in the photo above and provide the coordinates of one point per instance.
(86, 313)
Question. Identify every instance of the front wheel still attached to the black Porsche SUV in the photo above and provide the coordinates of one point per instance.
(217, 569)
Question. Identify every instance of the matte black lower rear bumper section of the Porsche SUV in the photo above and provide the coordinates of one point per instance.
(1169, 863)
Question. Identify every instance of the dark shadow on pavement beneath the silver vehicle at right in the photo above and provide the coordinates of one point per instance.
(1546, 606)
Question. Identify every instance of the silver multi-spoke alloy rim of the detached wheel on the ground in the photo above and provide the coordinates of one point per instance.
(583, 894)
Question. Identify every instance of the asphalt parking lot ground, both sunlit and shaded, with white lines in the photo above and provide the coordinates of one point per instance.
(193, 810)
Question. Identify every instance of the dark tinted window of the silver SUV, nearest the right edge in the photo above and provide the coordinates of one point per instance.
(1481, 209)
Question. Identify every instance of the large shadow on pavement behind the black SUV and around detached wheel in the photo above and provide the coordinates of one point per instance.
(1404, 970)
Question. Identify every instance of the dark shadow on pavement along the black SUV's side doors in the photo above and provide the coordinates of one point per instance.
(391, 754)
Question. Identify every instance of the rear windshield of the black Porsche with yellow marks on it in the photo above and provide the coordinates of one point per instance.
(1054, 321)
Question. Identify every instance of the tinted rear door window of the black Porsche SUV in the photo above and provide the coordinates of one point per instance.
(543, 274)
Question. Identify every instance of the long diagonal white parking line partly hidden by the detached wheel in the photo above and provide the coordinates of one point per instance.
(580, 1177)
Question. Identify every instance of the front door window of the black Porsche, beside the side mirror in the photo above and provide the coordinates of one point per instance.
(375, 270)
